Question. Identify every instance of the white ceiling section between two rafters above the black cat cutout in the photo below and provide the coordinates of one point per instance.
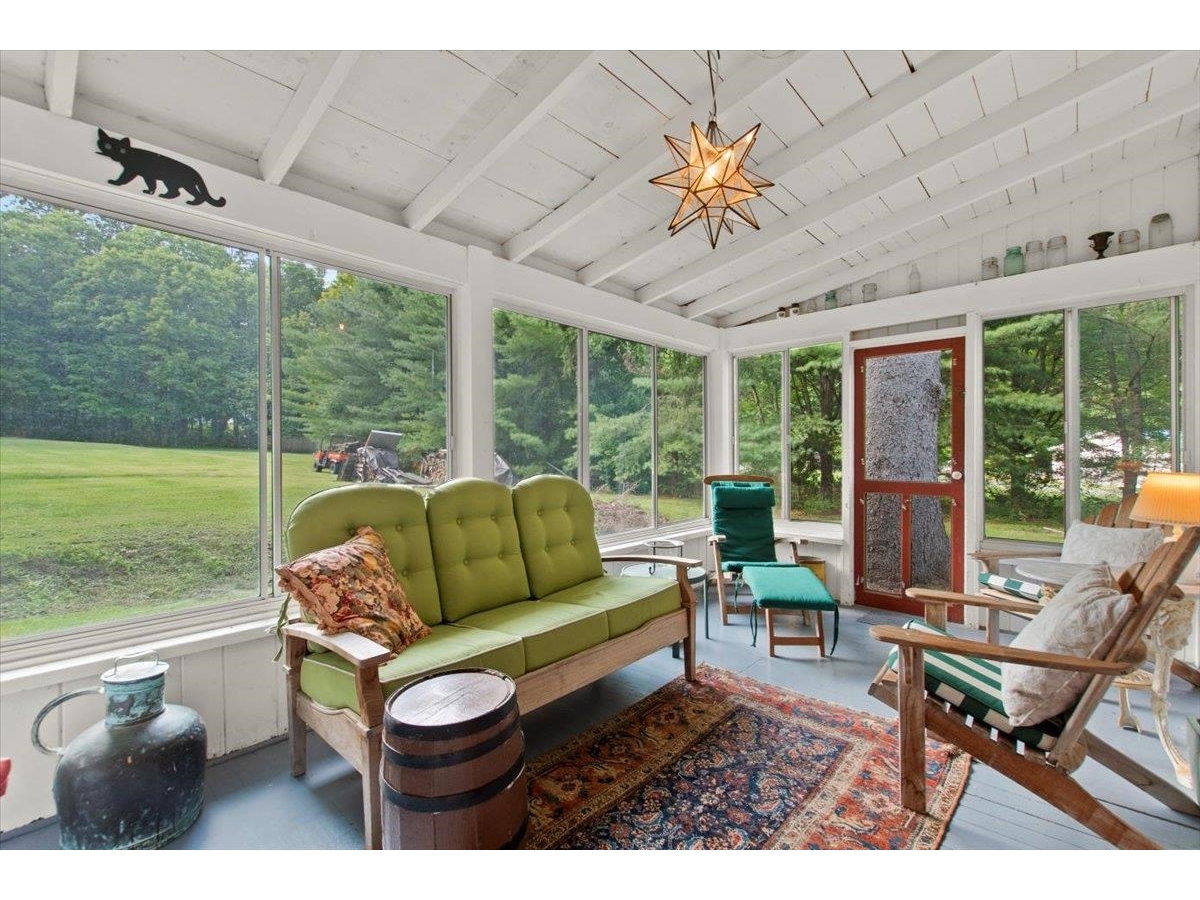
(205, 98)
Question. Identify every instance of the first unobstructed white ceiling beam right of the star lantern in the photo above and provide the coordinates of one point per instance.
(1058, 94)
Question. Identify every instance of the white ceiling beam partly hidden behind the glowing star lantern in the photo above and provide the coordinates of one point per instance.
(943, 69)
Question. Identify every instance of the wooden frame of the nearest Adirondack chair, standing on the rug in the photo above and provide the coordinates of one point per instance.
(1046, 772)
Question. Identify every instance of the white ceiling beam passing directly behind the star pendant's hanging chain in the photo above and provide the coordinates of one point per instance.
(650, 153)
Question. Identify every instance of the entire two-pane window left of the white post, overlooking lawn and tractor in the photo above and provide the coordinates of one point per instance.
(133, 423)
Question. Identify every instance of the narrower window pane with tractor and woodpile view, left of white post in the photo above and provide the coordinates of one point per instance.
(364, 377)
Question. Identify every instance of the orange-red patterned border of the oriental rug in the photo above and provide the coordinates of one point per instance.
(737, 689)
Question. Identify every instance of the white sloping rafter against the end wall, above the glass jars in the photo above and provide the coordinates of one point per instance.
(1060, 196)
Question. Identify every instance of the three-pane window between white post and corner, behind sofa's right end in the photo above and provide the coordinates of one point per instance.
(645, 436)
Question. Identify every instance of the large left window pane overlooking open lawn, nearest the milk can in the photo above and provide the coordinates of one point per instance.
(129, 458)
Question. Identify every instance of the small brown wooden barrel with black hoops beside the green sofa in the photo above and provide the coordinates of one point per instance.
(454, 775)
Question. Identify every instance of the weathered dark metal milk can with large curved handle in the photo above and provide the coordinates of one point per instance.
(136, 781)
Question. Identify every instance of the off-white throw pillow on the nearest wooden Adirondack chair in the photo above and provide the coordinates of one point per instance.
(1082, 620)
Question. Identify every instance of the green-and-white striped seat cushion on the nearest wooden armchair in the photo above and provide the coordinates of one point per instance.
(974, 687)
